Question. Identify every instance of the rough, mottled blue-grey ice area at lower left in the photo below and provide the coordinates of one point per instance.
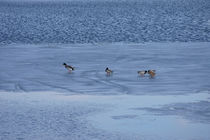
(45, 116)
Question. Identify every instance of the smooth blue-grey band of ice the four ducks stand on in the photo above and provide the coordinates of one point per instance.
(182, 68)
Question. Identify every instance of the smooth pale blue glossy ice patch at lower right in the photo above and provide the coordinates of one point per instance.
(166, 117)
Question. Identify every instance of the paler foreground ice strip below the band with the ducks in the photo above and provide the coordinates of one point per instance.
(51, 115)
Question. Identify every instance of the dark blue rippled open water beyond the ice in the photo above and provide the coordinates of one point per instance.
(89, 22)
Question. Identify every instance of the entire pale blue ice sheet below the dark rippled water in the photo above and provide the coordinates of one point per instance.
(40, 99)
